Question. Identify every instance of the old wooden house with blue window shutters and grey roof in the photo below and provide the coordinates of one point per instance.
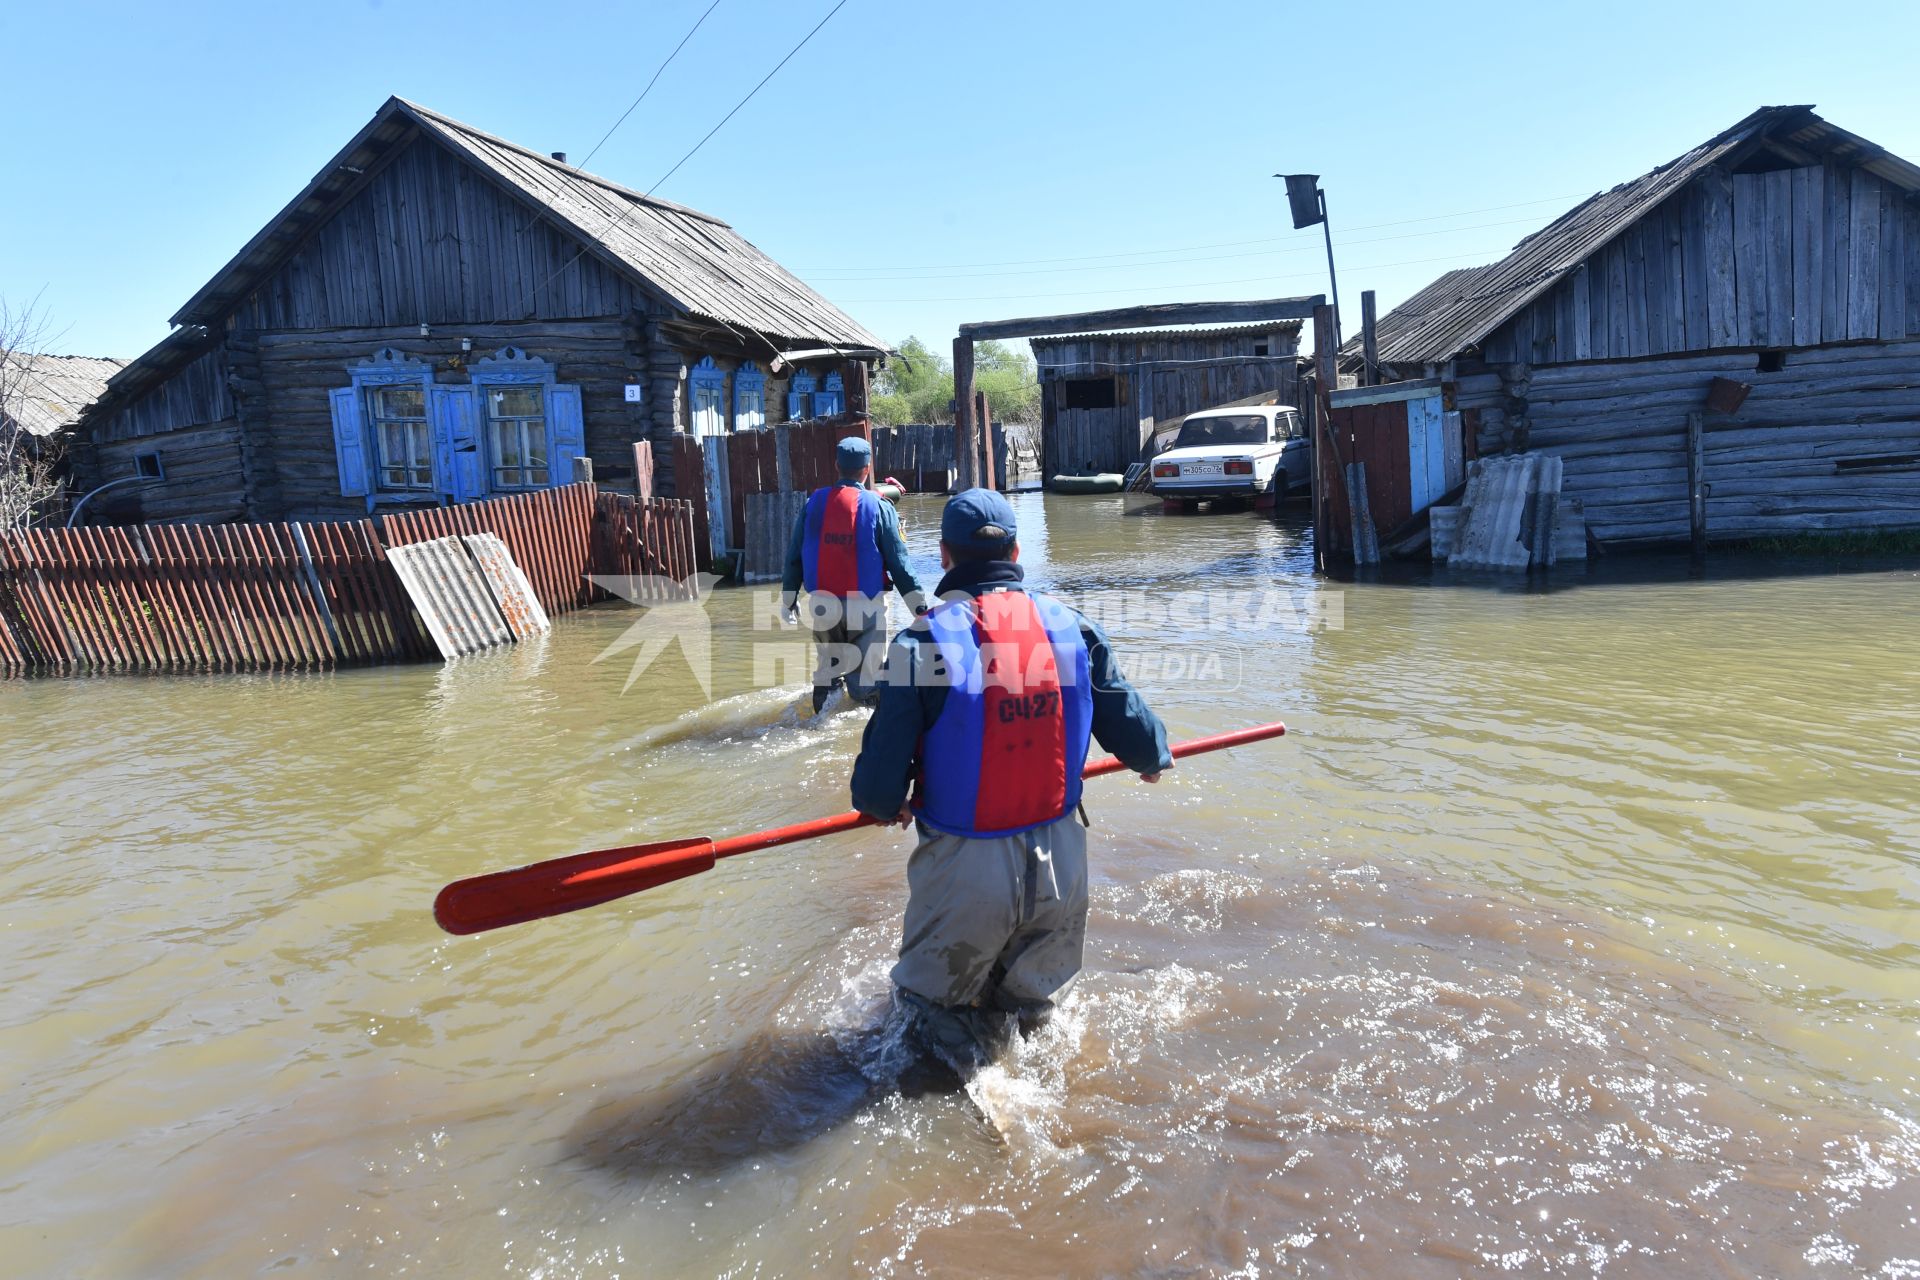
(443, 316)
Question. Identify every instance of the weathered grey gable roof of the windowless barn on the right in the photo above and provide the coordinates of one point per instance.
(1464, 308)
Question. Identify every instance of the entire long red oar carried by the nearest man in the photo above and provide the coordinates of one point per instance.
(579, 882)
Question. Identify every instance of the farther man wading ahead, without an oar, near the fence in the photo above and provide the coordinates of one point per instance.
(846, 550)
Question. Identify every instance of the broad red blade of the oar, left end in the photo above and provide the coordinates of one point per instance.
(567, 884)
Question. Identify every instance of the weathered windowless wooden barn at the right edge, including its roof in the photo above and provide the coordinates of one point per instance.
(1779, 258)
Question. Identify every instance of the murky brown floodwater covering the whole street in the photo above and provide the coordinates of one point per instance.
(1568, 934)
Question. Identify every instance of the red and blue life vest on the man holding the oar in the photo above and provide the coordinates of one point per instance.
(1011, 742)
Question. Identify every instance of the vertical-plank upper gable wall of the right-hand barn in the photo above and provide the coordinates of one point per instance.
(1790, 258)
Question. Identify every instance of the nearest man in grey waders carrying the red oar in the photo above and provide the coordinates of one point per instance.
(988, 711)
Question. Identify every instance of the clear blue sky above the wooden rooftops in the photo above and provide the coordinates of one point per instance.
(919, 164)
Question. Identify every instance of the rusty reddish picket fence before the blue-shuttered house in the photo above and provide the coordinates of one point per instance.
(264, 598)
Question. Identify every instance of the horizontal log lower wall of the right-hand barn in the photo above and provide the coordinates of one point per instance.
(1829, 442)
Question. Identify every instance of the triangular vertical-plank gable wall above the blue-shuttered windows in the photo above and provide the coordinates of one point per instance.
(429, 239)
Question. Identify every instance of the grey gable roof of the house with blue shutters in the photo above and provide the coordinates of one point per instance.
(692, 260)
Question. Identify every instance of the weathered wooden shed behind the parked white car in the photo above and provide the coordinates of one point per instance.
(1103, 396)
